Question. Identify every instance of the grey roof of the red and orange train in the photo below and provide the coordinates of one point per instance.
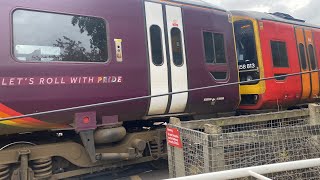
(278, 17)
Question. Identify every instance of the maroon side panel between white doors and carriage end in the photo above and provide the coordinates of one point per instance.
(201, 23)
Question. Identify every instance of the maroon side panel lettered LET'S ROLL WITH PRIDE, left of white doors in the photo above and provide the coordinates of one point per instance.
(52, 85)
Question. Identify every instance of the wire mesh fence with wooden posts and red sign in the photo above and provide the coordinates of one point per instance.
(239, 142)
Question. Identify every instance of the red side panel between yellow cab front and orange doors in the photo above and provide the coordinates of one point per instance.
(281, 91)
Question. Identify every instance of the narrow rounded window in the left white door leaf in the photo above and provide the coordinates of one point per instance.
(156, 45)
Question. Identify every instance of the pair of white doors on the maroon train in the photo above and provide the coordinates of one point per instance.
(167, 58)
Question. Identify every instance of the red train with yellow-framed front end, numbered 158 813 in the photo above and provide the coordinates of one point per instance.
(269, 47)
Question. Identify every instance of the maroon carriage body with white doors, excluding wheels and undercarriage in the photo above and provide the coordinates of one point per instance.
(58, 55)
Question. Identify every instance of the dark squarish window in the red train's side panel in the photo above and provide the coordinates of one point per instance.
(279, 54)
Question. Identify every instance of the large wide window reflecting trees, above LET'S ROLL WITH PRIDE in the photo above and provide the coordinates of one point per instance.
(44, 37)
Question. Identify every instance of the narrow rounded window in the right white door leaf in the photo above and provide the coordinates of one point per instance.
(176, 43)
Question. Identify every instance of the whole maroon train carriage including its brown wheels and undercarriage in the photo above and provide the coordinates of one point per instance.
(63, 54)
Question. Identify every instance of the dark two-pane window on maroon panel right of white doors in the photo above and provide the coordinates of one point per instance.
(214, 48)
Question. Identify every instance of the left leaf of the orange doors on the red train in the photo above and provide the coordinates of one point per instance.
(304, 64)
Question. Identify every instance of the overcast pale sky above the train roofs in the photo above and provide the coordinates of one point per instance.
(308, 10)
